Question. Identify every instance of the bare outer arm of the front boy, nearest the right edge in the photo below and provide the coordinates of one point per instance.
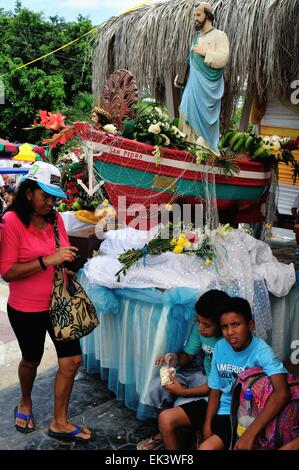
(277, 400)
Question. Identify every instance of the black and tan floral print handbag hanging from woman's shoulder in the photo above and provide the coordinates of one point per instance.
(71, 311)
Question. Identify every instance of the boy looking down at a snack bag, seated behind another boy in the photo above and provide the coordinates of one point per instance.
(190, 383)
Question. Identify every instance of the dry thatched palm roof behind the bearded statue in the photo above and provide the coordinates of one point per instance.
(153, 40)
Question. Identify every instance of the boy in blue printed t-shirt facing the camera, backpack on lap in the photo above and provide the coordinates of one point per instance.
(237, 351)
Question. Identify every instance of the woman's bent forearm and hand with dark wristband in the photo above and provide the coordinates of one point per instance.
(22, 270)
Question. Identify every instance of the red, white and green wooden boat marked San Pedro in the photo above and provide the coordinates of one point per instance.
(129, 169)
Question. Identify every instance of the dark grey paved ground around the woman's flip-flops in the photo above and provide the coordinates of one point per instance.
(114, 426)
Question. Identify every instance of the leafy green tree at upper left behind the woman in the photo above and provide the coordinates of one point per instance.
(59, 82)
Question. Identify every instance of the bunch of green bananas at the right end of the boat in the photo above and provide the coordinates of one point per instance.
(242, 141)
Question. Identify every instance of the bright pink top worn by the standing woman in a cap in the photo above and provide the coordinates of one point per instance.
(20, 244)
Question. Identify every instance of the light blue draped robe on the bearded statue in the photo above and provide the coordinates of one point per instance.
(201, 100)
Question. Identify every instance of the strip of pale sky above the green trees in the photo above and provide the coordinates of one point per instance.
(97, 10)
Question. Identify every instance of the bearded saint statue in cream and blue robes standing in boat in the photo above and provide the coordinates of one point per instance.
(201, 101)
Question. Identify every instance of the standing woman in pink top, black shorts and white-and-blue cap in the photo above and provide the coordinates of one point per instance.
(28, 256)
